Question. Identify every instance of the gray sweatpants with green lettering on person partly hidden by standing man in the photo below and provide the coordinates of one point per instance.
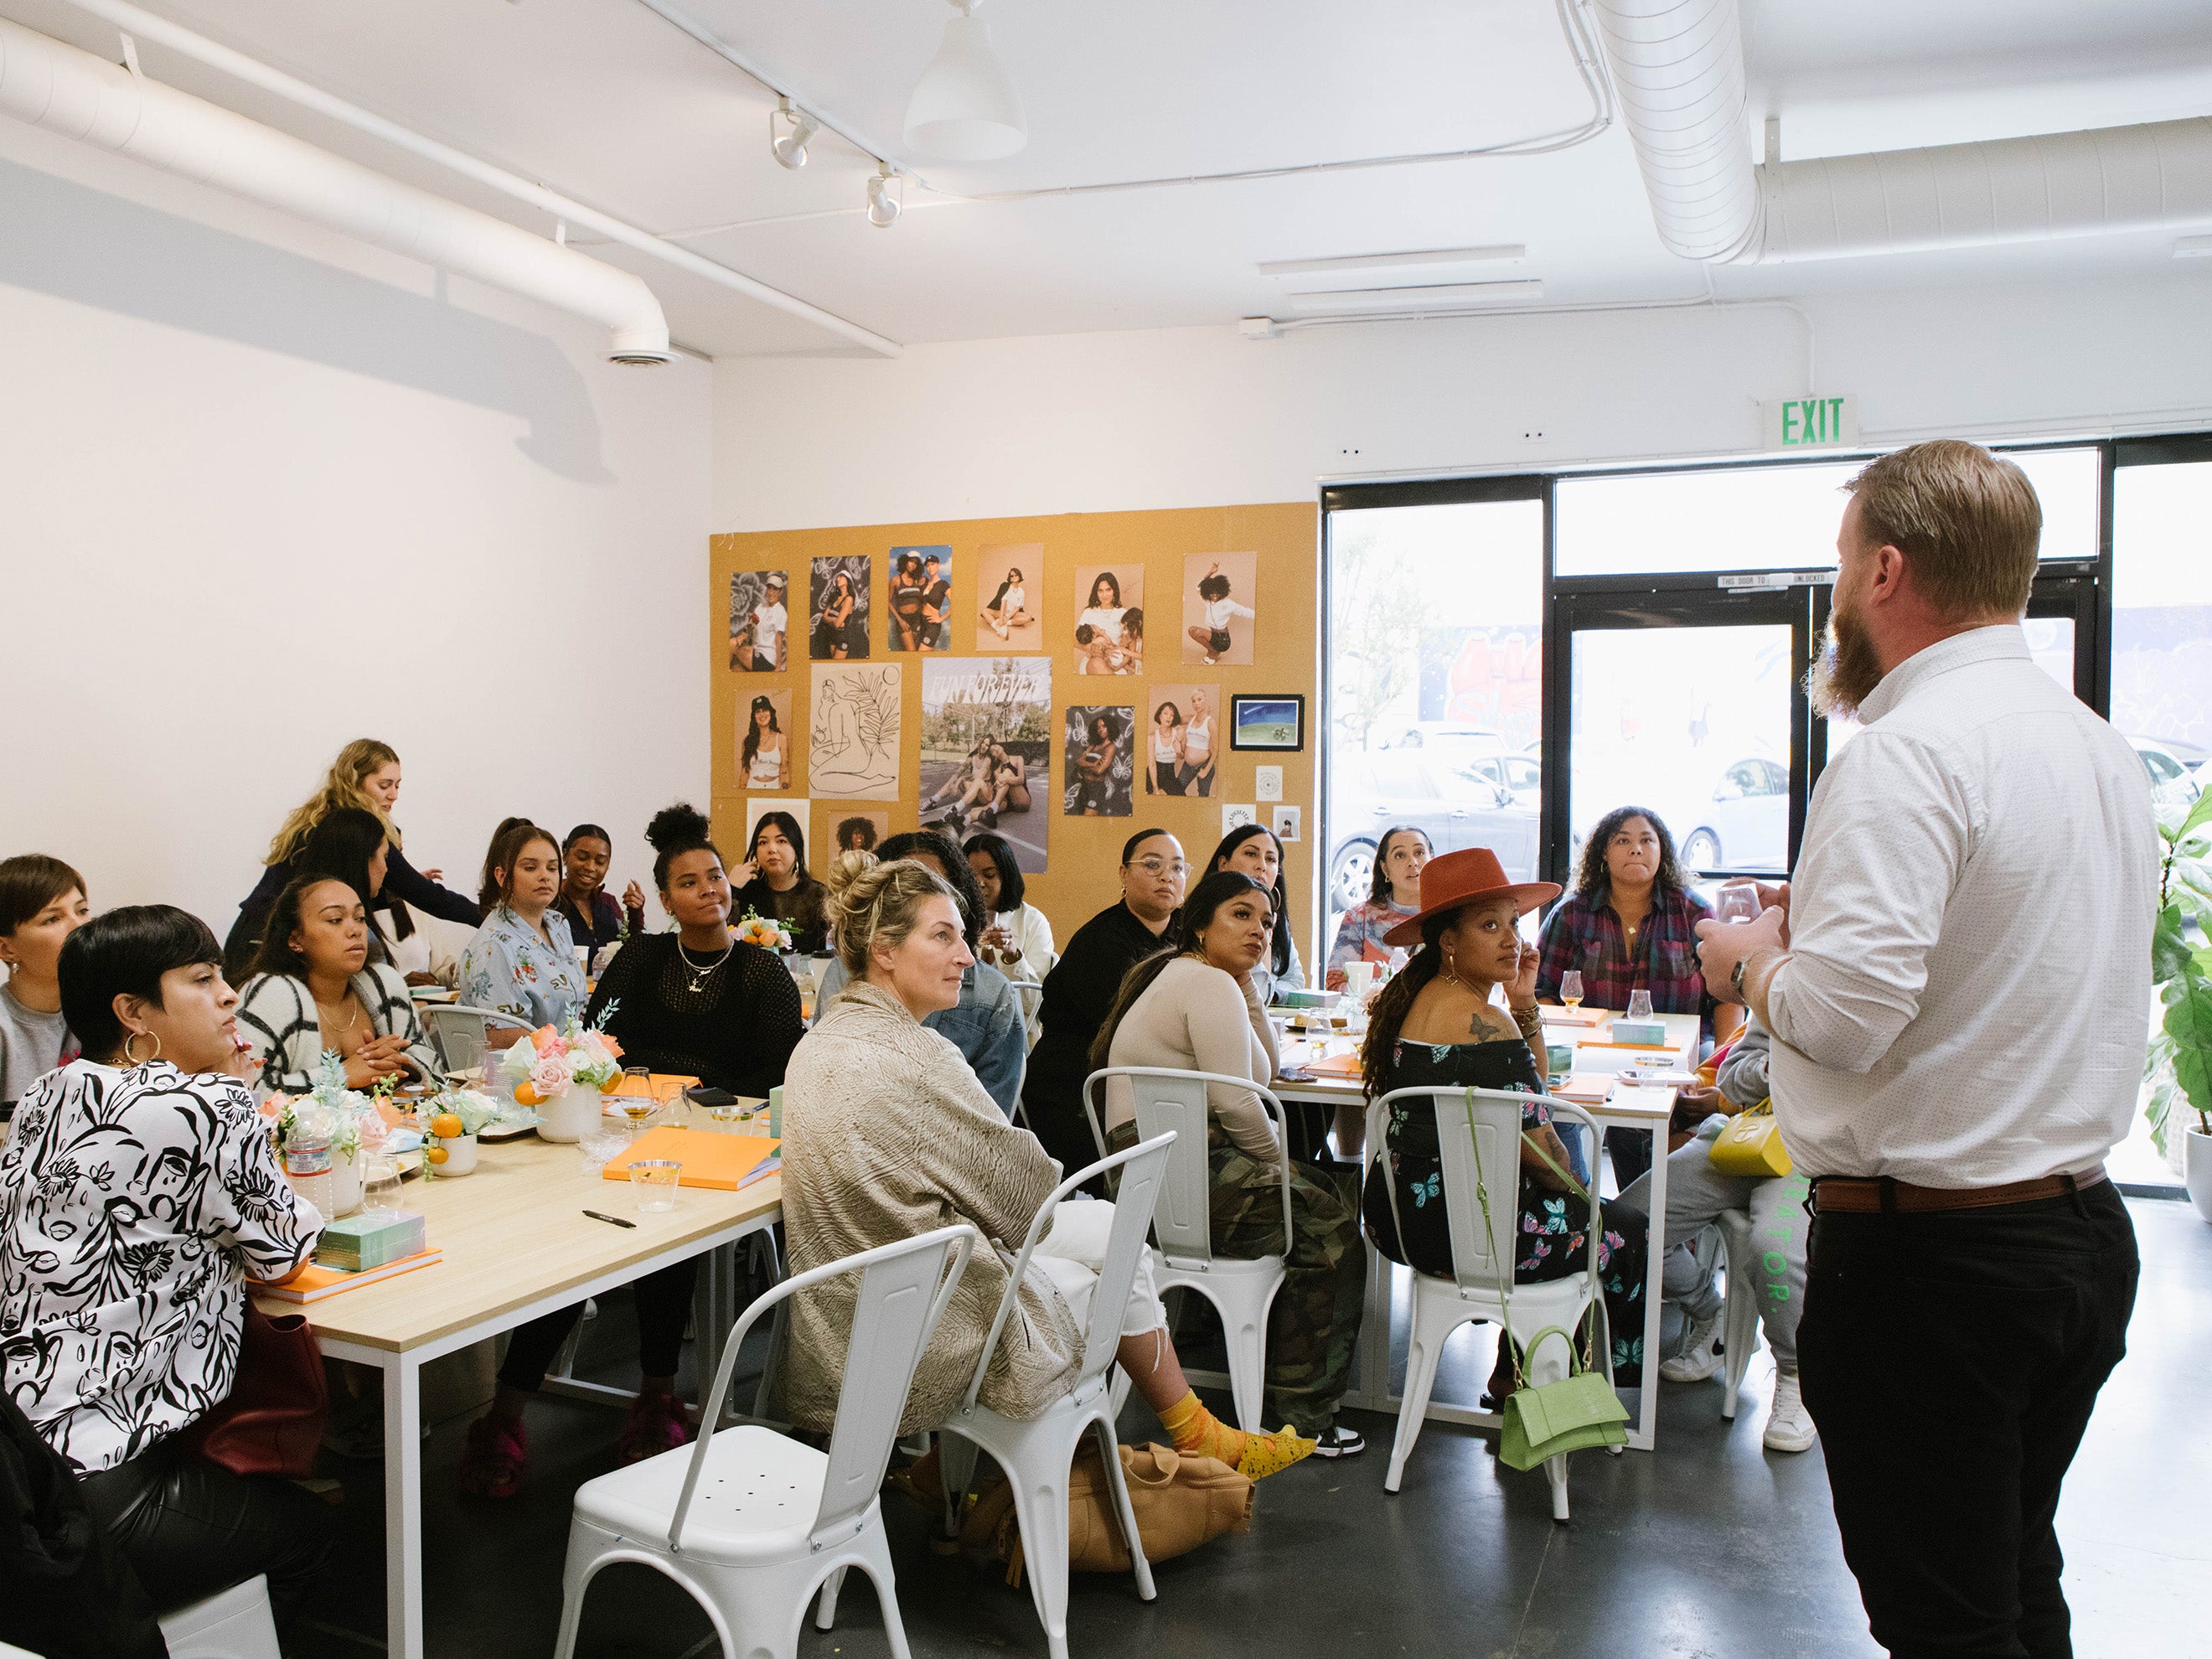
(1695, 1196)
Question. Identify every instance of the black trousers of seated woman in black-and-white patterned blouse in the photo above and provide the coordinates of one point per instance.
(191, 1530)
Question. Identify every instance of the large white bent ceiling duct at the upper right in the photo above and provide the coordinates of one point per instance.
(1678, 67)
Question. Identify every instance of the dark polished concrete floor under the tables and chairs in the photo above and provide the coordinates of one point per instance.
(1707, 1550)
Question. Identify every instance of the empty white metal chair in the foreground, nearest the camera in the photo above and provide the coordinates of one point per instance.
(753, 1523)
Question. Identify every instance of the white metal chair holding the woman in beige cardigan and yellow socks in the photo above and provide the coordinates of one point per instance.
(1036, 1454)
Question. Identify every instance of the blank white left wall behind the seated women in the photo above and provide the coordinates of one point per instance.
(264, 490)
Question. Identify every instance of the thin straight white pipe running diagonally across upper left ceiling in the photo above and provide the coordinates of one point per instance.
(273, 81)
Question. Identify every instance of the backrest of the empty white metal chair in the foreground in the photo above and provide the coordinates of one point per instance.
(897, 1308)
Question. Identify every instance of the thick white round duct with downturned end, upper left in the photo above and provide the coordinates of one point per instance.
(87, 98)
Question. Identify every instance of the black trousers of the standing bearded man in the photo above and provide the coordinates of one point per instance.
(1952, 1364)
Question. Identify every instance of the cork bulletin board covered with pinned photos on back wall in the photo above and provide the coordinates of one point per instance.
(851, 685)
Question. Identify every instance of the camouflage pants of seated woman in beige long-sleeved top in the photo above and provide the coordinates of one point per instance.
(1315, 1322)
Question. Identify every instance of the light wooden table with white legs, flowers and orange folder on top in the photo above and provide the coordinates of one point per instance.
(517, 1246)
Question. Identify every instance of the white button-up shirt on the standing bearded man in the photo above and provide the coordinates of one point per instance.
(1970, 932)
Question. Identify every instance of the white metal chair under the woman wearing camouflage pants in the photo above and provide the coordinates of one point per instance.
(1182, 1231)
